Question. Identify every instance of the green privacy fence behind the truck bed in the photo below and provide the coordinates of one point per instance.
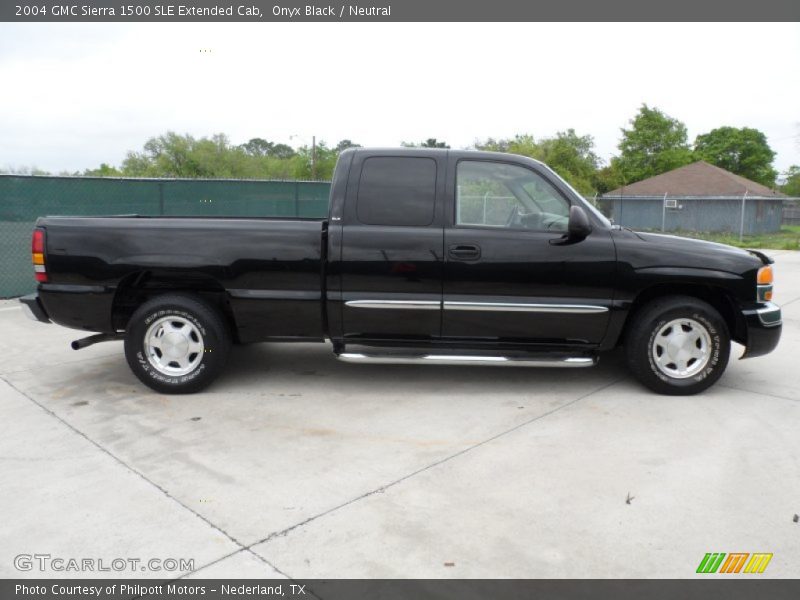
(24, 198)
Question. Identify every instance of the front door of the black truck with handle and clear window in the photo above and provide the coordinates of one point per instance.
(507, 277)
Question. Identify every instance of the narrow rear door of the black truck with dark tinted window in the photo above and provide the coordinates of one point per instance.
(392, 247)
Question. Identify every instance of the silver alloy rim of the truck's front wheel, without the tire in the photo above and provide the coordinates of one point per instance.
(681, 348)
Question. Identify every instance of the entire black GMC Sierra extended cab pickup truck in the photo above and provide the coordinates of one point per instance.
(427, 256)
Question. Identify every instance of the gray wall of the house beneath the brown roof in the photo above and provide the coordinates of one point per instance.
(762, 215)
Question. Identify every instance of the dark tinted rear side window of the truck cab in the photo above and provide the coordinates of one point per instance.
(397, 191)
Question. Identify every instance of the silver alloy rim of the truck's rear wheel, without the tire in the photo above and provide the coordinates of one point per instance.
(173, 346)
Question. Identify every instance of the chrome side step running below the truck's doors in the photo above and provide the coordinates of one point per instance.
(456, 359)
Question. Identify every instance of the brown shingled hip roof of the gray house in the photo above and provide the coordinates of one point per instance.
(697, 179)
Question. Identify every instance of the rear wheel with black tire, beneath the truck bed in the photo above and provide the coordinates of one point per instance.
(178, 315)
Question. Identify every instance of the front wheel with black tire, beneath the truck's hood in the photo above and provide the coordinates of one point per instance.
(647, 345)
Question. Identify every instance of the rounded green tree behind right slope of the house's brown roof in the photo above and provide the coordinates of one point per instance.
(742, 151)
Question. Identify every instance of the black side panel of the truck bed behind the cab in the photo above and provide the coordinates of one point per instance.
(268, 269)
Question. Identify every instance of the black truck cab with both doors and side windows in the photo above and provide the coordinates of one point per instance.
(464, 250)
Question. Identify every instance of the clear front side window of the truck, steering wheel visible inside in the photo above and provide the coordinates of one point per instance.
(493, 194)
